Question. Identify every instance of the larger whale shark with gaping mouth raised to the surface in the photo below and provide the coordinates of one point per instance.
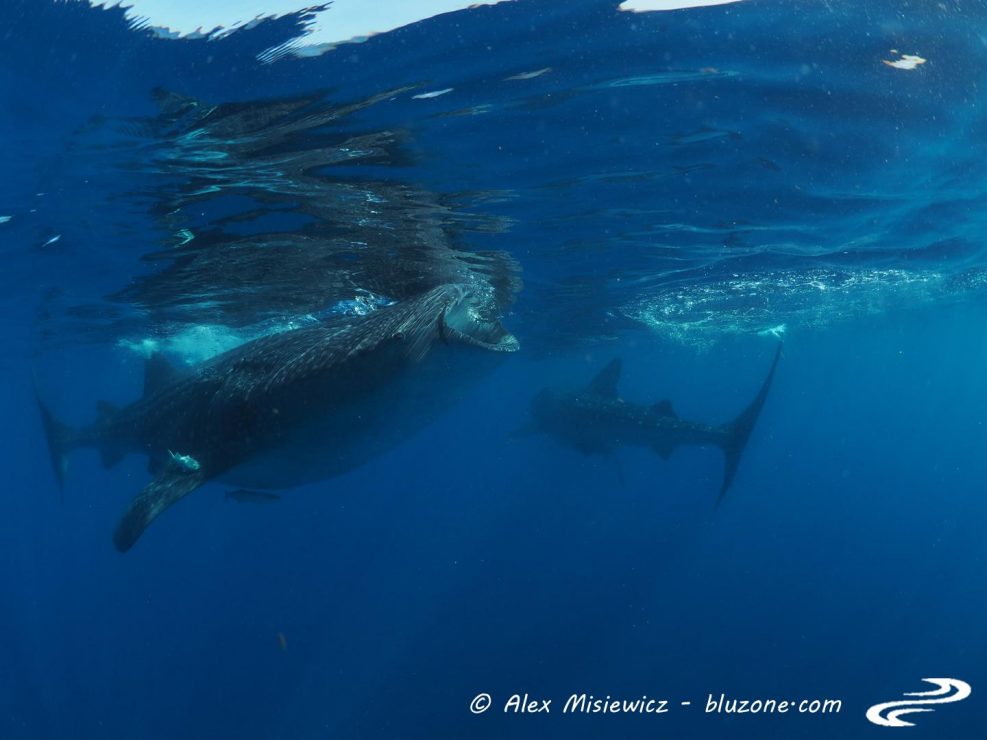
(294, 407)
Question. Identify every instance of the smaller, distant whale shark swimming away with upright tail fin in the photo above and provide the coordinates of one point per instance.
(596, 420)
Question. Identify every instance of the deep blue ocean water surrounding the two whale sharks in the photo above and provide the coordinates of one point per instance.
(679, 190)
